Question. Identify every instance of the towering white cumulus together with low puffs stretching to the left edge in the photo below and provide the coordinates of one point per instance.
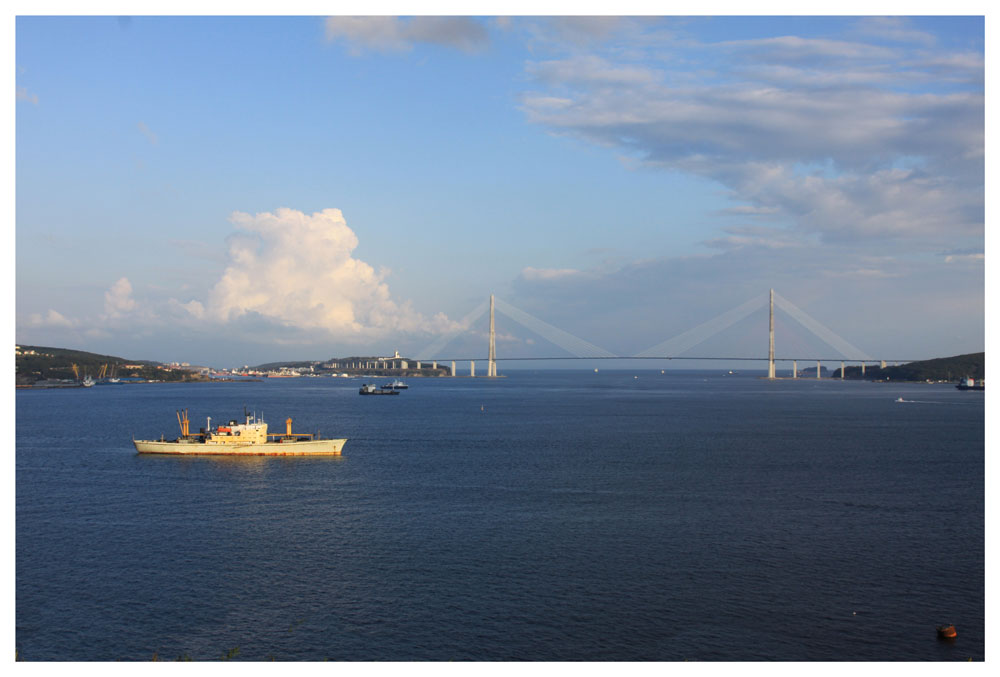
(291, 280)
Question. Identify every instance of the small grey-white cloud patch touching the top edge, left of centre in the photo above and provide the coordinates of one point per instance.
(388, 34)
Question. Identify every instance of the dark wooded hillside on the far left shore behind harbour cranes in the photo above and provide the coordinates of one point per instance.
(37, 363)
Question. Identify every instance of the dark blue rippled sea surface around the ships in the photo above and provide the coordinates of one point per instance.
(542, 516)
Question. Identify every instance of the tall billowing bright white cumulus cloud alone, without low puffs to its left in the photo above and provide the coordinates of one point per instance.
(298, 270)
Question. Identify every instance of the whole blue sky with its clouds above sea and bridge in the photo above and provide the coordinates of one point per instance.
(238, 190)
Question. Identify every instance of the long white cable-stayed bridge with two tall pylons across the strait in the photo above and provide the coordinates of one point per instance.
(675, 348)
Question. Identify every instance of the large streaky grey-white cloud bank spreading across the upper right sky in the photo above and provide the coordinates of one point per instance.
(845, 139)
